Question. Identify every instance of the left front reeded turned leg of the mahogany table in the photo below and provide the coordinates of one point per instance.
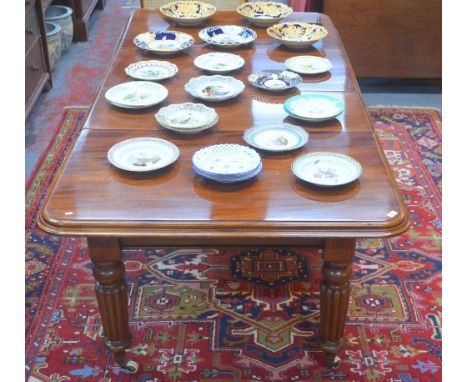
(111, 294)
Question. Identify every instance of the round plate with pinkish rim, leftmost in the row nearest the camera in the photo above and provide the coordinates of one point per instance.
(143, 154)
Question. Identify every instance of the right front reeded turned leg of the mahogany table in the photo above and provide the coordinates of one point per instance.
(334, 294)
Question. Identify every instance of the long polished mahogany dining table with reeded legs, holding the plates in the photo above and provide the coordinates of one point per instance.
(175, 207)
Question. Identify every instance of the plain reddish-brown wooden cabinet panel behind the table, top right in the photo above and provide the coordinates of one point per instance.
(390, 38)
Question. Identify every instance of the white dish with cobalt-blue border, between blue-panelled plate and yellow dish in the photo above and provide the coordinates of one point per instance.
(227, 36)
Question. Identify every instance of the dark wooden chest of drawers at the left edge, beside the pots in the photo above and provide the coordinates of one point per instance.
(37, 68)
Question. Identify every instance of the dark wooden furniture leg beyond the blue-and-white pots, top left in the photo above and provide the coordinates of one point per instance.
(82, 10)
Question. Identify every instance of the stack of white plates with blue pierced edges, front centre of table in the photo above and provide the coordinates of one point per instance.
(226, 160)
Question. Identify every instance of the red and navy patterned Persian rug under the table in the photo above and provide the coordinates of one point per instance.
(200, 314)
